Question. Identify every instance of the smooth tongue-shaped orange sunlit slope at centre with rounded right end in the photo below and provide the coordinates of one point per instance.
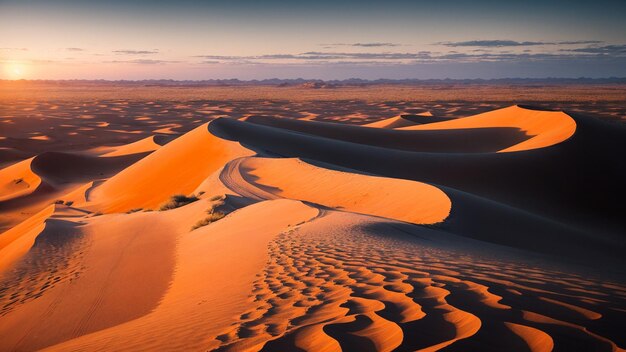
(403, 200)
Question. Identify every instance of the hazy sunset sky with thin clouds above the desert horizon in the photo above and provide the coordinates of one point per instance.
(322, 39)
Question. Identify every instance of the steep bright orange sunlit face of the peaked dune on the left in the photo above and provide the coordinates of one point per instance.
(176, 168)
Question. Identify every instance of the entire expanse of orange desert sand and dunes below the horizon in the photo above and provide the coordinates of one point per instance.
(380, 218)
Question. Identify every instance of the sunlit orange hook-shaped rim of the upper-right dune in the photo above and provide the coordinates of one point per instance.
(545, 128)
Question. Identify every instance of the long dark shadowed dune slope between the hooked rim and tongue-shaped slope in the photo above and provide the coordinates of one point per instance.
(583, 197)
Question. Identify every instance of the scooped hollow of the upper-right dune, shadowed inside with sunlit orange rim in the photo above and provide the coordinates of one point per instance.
(504, 130)
